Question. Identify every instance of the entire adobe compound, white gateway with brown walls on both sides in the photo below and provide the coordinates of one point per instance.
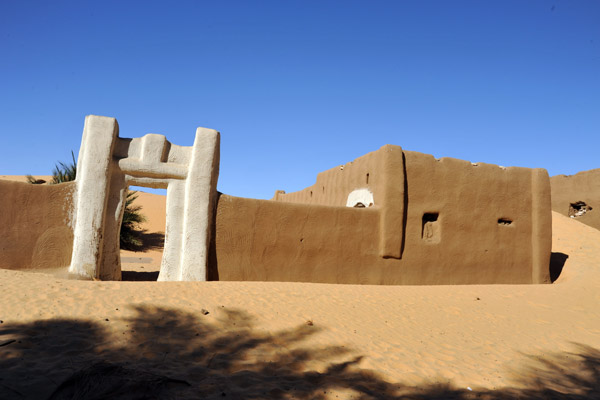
(391, 217)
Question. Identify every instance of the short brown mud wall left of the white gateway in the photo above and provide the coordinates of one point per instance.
(34, 225)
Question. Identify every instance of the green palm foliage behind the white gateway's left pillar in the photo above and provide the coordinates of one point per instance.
(130, 235)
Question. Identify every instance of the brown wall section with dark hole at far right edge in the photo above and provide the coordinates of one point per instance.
(578, 196)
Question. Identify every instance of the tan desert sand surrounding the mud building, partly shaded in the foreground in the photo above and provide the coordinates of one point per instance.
(252, 340)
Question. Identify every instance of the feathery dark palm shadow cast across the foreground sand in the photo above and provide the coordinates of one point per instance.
(164, 353)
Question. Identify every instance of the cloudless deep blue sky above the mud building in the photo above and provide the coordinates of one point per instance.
(298, 87)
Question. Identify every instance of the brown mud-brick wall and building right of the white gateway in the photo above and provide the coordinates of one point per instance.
(462, 224)
